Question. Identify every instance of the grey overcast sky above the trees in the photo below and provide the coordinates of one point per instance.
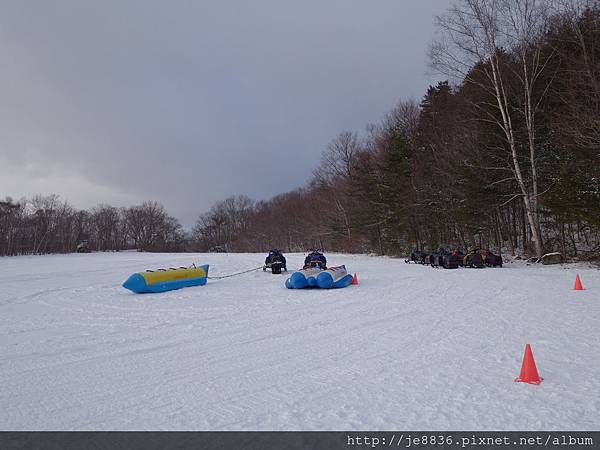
(189, 102)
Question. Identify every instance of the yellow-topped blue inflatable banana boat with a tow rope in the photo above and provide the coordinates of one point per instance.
(163, 280)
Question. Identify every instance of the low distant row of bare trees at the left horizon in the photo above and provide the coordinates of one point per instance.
(45, 224)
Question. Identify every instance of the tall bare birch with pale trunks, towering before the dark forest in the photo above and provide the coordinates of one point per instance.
(475, 35)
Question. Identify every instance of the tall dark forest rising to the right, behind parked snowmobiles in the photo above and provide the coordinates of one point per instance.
(505, 156)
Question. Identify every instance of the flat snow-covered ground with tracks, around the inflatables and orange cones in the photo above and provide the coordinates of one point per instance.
(410, 347)
